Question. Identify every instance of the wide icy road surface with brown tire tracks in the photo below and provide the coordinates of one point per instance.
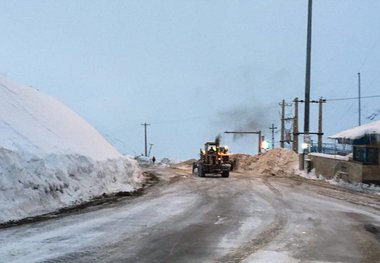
(184, 218)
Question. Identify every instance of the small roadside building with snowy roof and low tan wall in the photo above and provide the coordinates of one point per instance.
(362, 165)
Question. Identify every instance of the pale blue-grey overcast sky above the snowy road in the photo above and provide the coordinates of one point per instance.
(192, 69)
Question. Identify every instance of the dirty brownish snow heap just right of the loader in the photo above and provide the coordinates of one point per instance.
(274, 162)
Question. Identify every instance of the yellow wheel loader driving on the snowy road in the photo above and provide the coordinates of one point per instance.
(214, 159)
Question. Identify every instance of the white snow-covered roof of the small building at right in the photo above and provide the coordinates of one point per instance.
(358, 132)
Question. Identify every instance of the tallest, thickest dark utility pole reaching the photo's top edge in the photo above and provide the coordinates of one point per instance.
(308, 69)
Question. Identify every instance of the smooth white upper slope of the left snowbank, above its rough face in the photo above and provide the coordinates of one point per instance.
(33, 122)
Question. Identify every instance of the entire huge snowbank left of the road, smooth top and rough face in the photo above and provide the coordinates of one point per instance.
(51, 158)
